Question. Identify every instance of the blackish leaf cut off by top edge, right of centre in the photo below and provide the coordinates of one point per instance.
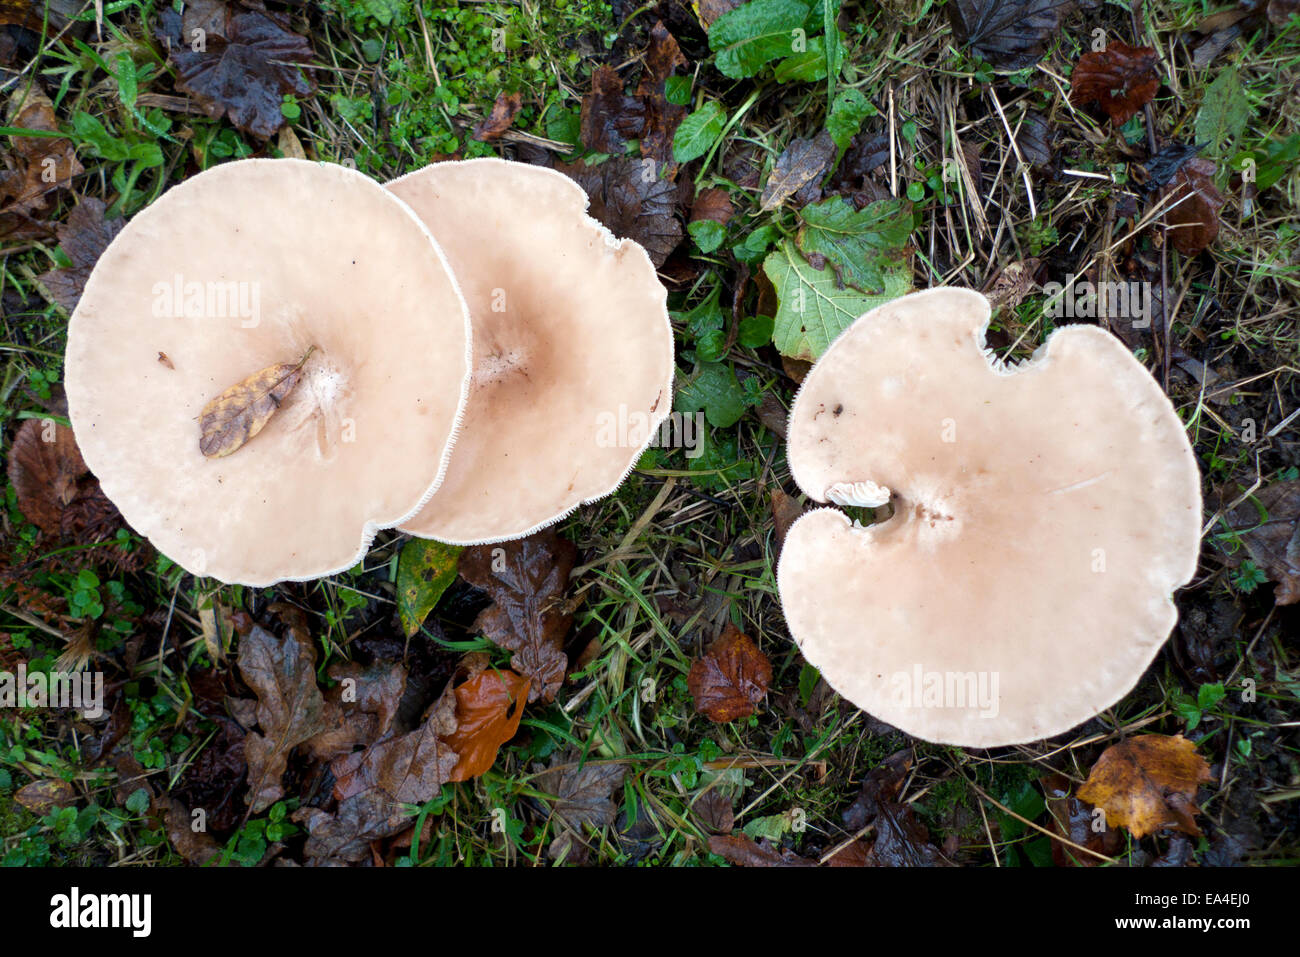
(1011, 34)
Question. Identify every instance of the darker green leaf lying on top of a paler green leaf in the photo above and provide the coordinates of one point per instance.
(860, 245)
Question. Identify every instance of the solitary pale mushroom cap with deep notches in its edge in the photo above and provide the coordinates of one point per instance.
(1045, 514)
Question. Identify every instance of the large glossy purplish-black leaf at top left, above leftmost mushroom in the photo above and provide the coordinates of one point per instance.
(246, 66)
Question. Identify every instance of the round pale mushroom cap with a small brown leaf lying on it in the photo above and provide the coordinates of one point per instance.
(322, 257)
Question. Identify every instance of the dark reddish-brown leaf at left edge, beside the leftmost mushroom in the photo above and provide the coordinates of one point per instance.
(54, 487)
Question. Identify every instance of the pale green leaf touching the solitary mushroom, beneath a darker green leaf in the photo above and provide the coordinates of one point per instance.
(813, 308)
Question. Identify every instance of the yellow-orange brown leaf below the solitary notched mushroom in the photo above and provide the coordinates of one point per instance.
(1149, 783)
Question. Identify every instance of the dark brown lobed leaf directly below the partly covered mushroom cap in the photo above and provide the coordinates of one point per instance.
(530, 617)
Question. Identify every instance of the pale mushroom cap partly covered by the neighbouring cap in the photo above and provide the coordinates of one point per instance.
(574, 356)
